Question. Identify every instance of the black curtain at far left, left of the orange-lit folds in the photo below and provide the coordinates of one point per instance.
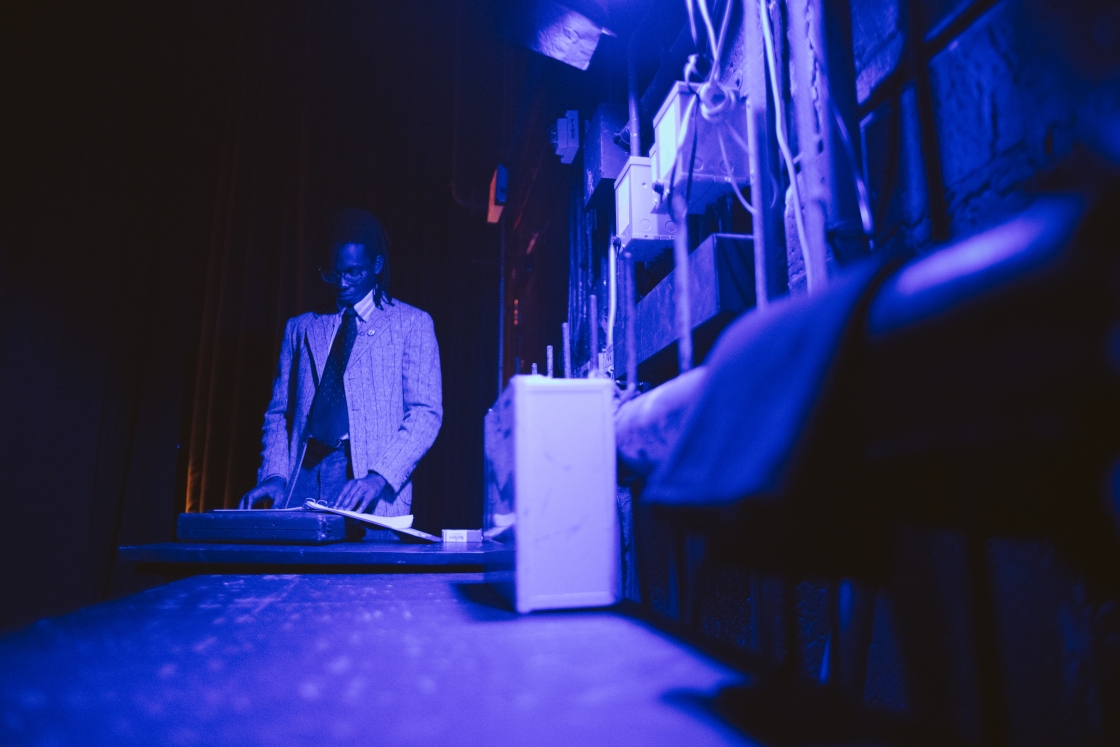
(108, 162)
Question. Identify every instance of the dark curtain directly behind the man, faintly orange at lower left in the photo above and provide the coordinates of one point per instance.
(335, 106)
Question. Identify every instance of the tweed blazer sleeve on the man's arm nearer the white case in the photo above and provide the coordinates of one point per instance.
(424, 406)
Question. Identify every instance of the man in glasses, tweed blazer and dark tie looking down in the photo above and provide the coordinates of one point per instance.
(358, 398)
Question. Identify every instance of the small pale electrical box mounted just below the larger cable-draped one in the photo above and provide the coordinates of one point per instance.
(642, 232)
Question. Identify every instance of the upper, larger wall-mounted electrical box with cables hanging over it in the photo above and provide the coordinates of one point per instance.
(721, 163)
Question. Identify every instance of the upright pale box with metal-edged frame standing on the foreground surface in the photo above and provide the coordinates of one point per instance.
(552, 493)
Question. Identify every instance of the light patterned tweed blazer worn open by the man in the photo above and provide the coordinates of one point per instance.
(394, 397)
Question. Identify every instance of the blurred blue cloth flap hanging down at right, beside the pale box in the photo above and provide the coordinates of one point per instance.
(766, 378)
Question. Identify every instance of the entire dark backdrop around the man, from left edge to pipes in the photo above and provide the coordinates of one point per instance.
(170, 170)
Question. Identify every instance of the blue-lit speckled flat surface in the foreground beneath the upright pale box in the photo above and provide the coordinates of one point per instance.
(350, 660)
